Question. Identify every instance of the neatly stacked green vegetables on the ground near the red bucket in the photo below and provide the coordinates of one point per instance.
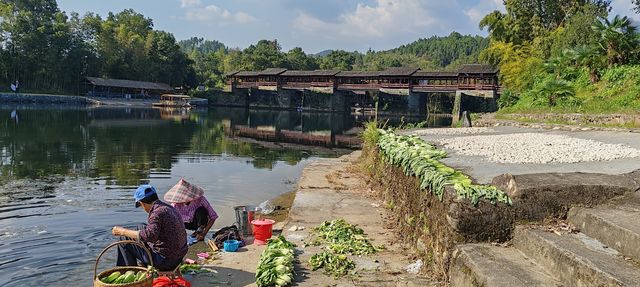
(275, 267)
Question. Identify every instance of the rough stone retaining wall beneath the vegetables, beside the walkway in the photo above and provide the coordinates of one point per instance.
(431, 227)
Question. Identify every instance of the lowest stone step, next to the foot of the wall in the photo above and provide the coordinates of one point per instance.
(487, 265)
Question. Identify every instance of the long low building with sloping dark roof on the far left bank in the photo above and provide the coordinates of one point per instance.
(126, 89)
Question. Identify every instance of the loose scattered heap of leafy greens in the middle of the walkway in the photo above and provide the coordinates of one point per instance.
(341, 239)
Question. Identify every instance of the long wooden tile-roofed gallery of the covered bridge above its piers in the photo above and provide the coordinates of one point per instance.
(474, 80)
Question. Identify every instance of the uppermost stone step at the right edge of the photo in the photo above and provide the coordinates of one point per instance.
(617, 227)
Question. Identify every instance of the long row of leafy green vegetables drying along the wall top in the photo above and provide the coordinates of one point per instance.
(420, 159)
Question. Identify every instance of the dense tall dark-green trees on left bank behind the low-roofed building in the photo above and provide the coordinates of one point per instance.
(47, 50)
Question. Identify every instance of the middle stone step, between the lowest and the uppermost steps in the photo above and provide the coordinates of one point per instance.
(576, 259)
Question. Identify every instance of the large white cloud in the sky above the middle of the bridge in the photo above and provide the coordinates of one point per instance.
(385, 17)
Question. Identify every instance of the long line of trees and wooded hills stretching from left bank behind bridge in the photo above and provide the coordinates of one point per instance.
(48, 51)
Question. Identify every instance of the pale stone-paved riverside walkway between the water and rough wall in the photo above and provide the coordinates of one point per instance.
(328, 189)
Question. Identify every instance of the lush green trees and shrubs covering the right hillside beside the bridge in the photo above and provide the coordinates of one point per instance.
(564, 55)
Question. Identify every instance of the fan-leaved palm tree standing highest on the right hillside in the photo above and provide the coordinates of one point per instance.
(617, 38)
